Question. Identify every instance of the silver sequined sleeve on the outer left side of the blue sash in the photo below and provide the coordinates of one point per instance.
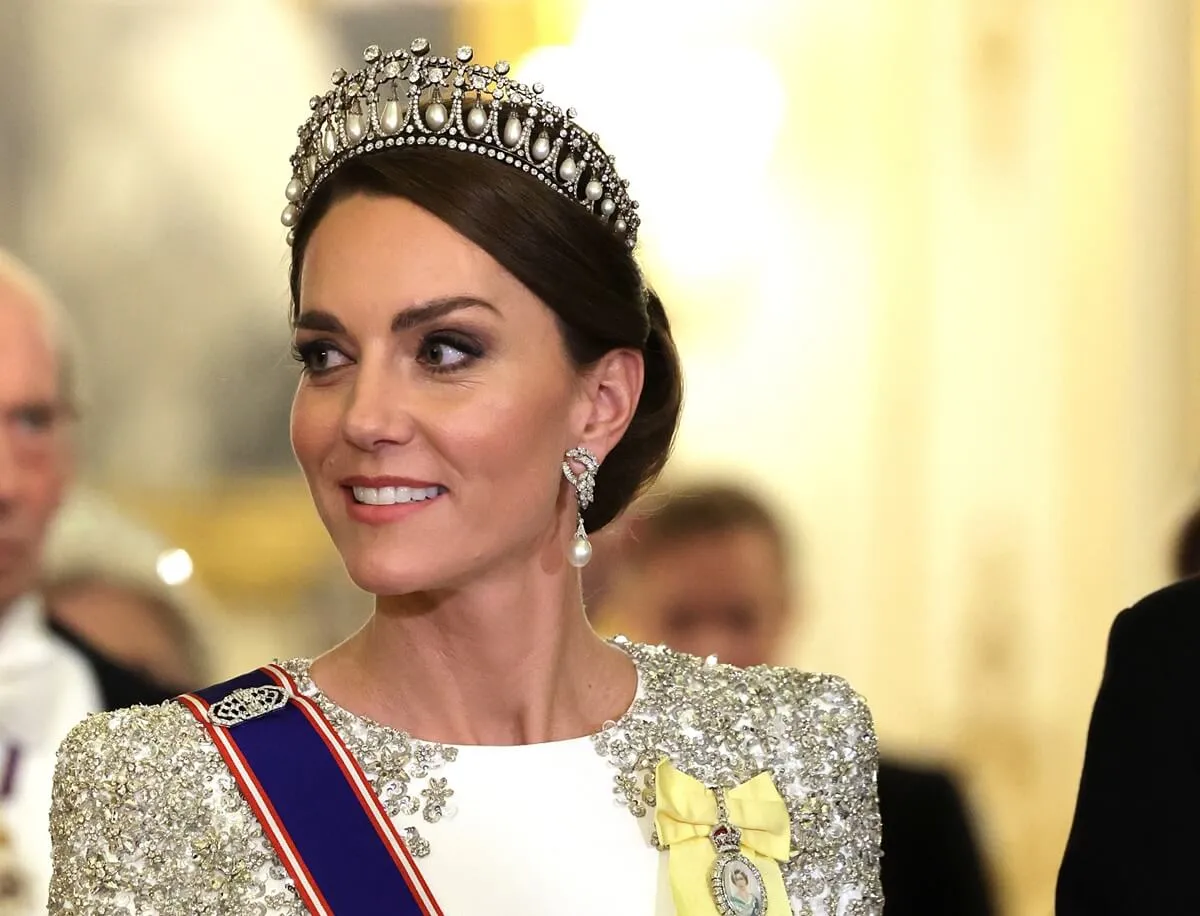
(146, 818)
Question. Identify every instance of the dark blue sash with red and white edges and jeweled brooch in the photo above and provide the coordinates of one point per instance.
(310, 795)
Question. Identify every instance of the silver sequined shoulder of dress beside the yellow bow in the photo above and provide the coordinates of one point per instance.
(725, 726)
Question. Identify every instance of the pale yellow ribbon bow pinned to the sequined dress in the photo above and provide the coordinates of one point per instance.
(686, 815)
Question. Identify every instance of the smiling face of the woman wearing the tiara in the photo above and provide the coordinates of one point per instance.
(435, 403)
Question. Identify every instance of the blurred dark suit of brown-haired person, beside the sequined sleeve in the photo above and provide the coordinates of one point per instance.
(932, 864)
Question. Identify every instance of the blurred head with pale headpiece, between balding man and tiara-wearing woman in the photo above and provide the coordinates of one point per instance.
(106, 586)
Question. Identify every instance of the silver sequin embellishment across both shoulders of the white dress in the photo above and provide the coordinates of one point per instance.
(147, 818)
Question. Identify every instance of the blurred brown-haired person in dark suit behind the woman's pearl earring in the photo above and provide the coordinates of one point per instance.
(707, 571)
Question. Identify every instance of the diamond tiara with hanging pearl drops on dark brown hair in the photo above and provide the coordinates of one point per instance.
(413, 99)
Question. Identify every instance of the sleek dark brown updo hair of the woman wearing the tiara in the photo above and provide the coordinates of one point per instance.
(562, 254)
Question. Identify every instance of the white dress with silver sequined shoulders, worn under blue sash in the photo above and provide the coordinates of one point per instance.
(147, 819)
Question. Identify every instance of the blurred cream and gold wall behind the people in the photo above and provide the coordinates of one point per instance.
(933, 267)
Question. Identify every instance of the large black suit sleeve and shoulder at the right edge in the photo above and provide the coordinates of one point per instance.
(1136, 841)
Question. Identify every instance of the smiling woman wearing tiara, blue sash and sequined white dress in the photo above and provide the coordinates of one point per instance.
(484, 380)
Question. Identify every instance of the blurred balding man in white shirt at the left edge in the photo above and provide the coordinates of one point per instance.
(47, 685)
